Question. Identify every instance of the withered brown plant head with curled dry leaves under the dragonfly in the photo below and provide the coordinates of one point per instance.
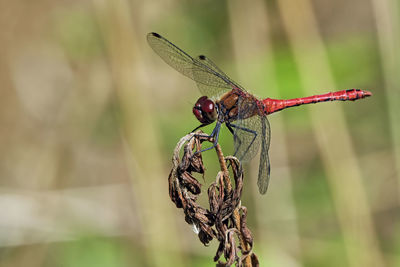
(225, 218)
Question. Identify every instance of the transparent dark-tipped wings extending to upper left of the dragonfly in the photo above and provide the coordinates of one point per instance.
(211, 81)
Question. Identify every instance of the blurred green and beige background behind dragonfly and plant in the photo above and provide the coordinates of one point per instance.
(90, 115)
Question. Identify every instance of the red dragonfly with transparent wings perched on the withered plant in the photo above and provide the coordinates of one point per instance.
(225, 101)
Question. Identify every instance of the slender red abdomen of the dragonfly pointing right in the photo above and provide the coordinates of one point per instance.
(274, 105)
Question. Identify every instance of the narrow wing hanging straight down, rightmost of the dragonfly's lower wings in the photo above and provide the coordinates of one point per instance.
(264, 166)
